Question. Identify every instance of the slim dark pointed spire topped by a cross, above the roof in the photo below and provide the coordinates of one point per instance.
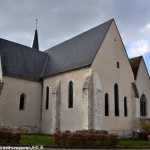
(35, 43)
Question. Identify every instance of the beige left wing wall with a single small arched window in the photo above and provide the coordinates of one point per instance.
(10, 115)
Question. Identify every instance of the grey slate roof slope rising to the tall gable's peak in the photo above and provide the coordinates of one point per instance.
(77, 52)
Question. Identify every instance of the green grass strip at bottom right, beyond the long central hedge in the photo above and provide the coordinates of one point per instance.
(133, 143)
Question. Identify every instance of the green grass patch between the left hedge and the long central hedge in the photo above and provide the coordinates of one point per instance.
(36, 139)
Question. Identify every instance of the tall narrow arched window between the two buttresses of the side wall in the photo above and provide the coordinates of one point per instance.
(70, 94)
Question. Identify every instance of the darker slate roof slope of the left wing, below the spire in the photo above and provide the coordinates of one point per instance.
(21, 61)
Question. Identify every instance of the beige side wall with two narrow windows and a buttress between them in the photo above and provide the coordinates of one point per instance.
(76, 118)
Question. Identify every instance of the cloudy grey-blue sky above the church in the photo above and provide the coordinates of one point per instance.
(59, 20)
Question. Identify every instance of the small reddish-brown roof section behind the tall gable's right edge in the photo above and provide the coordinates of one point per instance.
(135, 63)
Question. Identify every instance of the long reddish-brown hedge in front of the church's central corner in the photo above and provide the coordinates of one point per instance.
(90, 138)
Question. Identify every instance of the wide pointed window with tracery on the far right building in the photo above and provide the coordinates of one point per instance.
(143, 105)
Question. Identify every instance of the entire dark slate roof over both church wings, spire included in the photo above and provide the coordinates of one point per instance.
(24, 62)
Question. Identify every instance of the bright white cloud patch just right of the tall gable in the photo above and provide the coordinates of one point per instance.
(138, 48)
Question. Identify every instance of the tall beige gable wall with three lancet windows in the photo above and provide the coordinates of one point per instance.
(105, 65)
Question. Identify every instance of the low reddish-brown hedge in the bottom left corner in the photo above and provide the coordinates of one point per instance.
(7, 136)
